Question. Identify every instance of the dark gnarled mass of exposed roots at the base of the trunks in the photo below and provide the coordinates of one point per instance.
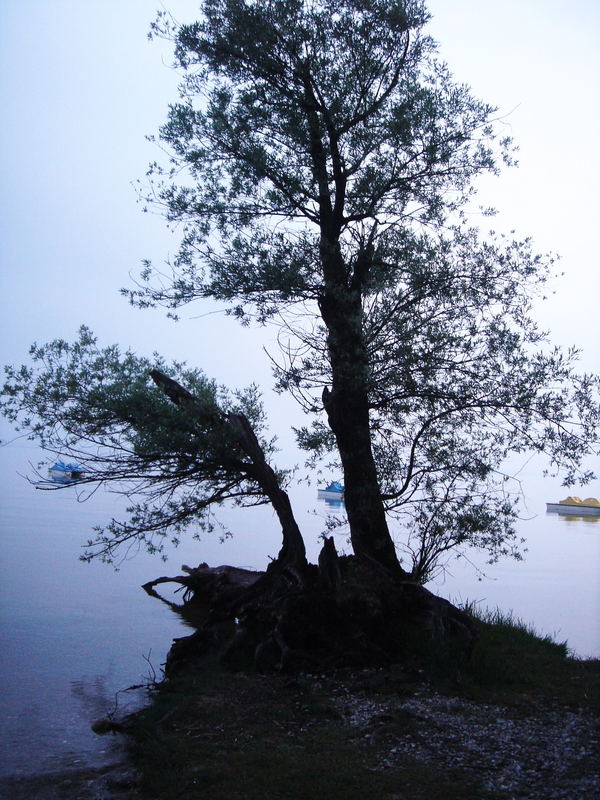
(345, 611)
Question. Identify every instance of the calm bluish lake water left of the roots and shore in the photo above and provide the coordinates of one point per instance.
(72, 635)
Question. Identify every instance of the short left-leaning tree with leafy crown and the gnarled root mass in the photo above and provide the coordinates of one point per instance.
(178, 453)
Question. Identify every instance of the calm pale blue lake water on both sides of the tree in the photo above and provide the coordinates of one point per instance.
(73, 634)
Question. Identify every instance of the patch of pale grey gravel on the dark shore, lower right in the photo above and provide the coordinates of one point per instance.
(552, 755)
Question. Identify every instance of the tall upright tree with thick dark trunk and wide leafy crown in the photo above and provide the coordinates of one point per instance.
(328, 161)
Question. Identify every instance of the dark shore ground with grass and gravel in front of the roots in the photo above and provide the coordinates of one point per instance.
(521, 710)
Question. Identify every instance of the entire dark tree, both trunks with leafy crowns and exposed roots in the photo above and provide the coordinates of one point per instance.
(322, 161)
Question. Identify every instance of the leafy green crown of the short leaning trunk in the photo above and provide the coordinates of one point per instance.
(101, 408)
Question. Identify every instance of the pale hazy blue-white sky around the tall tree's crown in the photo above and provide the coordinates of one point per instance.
(82, 86)
